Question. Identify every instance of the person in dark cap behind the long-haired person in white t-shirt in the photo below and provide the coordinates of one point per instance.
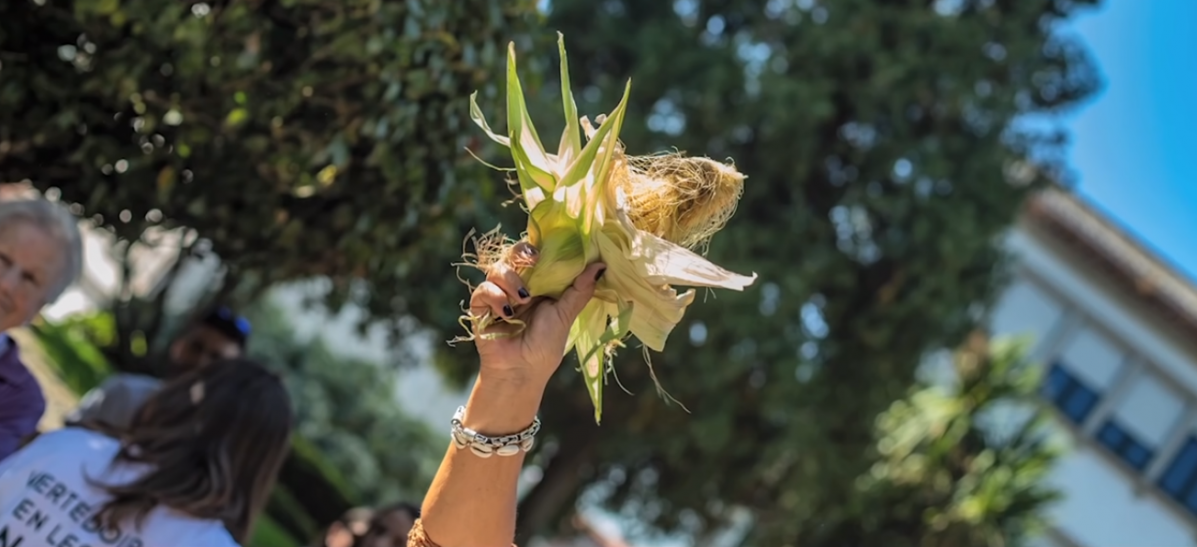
(220, 335)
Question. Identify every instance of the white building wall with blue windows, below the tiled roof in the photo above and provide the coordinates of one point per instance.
(1144, 386)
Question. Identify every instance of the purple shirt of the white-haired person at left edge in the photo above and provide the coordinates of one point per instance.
(22, 403)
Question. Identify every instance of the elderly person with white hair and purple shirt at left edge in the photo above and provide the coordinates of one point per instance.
(41, 256)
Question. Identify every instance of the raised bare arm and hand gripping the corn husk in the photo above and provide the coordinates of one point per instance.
(472, 502)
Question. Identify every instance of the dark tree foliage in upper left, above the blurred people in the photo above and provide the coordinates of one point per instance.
(301, 137)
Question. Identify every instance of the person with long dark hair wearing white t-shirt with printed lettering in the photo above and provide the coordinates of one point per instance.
(196, 469)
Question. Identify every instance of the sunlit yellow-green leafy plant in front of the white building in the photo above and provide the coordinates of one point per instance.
(962, 461)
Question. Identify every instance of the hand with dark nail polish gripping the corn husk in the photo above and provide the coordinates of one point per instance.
(532, 356)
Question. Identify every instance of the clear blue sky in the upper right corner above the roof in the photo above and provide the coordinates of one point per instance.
(1131, 143)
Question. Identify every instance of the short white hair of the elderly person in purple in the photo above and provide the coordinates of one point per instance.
(60, 226)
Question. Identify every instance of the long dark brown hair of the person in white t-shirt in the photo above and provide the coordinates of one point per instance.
(215, 440)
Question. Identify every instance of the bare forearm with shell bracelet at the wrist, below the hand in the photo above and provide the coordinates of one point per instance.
(472, 501)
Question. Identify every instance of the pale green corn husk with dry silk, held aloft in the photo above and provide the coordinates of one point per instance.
(590, 202)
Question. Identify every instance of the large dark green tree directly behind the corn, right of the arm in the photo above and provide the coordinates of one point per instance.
(886, 153)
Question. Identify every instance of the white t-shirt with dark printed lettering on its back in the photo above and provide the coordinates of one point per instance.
(46, 500)
